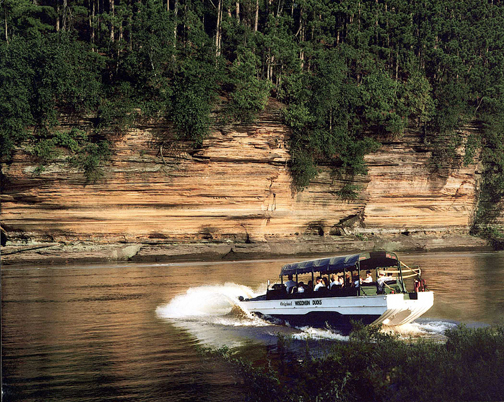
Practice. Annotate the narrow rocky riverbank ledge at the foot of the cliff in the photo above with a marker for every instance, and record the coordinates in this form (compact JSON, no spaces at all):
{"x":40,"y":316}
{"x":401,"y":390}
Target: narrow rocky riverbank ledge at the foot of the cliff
{"x":88,"y":252}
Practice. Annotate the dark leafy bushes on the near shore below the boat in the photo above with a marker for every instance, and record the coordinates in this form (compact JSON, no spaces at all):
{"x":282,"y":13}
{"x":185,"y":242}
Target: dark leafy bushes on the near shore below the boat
{"x":377,"y":366}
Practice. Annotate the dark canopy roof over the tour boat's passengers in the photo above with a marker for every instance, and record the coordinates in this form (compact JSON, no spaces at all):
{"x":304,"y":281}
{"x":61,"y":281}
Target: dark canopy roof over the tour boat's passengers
{"x":368,"y":261}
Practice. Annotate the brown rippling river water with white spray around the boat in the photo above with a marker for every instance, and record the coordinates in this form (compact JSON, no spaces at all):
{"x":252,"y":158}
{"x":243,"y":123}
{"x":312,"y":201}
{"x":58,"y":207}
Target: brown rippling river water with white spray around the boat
{"x":134,"y":331}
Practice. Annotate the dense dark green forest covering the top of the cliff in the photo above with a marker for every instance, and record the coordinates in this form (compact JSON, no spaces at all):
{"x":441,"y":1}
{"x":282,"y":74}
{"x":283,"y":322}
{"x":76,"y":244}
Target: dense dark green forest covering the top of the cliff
{"x":348,"y":71}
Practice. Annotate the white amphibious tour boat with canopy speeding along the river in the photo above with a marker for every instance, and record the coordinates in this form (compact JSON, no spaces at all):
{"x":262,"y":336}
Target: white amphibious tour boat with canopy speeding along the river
{"x":381,"y":298}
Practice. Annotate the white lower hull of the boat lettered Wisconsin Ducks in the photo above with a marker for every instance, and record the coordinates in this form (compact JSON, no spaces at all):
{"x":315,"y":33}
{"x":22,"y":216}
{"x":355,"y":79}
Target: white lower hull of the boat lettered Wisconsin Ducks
{"x":389,"y":309}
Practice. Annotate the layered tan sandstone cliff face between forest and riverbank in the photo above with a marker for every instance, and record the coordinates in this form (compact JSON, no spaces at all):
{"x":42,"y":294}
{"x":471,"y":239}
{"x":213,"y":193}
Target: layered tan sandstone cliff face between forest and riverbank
{"x":236,"y":189}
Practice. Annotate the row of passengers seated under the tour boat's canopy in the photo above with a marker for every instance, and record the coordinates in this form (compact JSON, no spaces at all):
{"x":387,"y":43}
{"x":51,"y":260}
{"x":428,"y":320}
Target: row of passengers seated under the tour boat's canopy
{"x":336,"y":281}
